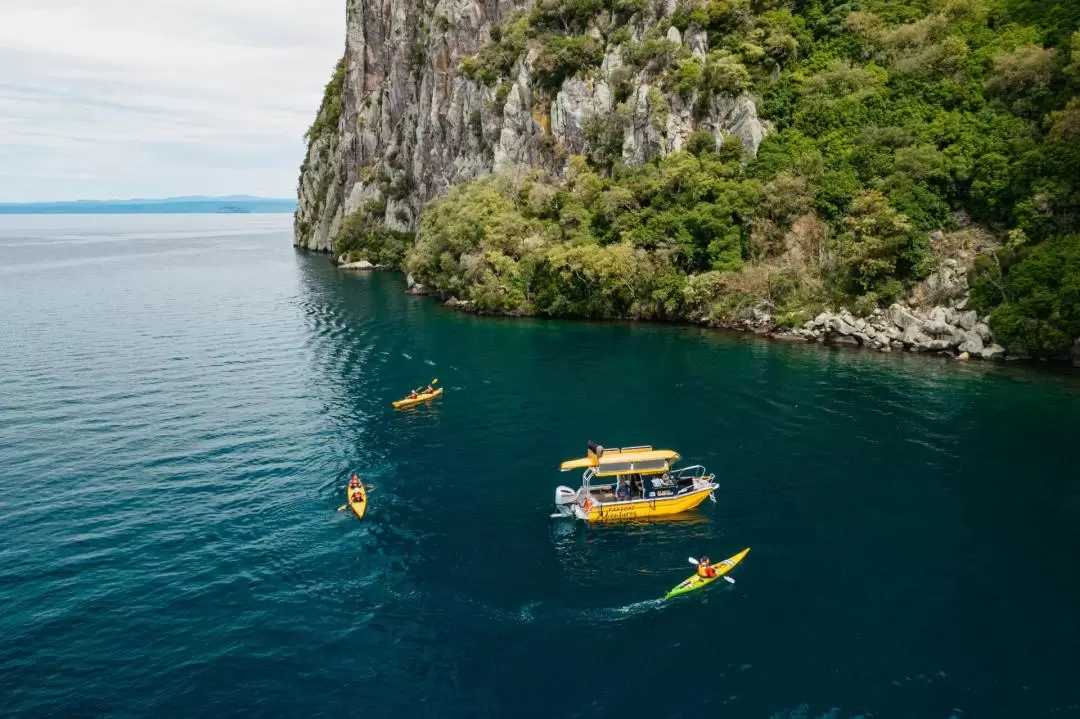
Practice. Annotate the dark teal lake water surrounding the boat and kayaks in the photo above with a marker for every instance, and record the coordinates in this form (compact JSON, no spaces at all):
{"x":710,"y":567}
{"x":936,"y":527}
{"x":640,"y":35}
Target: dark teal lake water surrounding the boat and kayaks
{"x":183,"y":399}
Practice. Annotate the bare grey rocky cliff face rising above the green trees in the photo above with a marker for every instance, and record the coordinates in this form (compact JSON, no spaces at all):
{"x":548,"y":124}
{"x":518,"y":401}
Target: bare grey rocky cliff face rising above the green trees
{"x":412,"y":125}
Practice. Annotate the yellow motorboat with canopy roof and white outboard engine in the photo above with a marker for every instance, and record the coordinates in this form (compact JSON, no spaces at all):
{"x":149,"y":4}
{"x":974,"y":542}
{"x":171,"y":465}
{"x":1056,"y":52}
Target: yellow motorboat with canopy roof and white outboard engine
{"x":638,"y":483}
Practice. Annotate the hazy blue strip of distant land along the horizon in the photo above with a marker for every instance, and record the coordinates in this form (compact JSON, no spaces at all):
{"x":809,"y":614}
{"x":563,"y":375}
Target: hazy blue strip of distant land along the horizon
{"x":235,"y":204}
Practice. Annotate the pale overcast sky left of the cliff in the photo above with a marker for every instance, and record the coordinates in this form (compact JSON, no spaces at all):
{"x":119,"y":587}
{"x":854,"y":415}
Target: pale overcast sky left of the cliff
{"x":124,"y":99}
